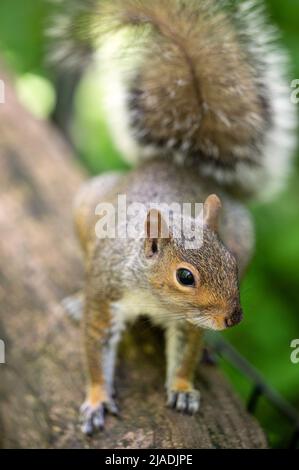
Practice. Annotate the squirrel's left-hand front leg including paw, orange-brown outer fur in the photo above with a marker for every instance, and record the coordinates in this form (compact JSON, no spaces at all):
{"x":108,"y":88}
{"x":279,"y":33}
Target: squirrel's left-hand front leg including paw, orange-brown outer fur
{"x":101,"y":337}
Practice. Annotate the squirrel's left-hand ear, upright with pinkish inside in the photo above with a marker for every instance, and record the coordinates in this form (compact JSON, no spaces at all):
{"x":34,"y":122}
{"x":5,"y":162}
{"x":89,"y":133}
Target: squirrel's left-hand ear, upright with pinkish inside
{"x":157,"y":232}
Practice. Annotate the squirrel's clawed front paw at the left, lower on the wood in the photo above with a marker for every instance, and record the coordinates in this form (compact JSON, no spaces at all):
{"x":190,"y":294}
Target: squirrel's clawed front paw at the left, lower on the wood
{"x":93,"y":416}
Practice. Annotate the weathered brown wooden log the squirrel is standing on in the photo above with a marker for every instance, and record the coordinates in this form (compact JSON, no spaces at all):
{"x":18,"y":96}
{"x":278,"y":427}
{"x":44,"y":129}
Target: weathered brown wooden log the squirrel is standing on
{"x":42,"y":384}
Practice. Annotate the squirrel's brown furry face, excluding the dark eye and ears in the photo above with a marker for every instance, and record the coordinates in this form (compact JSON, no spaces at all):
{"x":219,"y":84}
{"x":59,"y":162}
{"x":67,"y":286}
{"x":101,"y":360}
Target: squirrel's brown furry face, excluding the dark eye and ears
{"x":214,"y":301}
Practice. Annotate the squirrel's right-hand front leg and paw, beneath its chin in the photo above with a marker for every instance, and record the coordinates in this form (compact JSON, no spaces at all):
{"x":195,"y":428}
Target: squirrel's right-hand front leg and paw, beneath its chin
{"x":184,"y":347}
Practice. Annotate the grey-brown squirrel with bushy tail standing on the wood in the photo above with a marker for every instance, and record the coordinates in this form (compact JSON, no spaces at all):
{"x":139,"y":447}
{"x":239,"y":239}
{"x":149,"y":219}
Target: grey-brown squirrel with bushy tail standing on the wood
{"x":197,"y":98}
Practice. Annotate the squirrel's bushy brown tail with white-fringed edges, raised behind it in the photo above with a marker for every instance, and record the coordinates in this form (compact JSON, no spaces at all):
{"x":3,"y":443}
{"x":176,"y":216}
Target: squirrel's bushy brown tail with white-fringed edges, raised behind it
{"x":199,"y":81}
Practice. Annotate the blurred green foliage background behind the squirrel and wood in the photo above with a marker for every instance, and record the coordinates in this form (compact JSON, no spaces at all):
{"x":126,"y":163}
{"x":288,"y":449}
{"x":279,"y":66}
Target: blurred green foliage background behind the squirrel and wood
{"x":271,"y":290}
